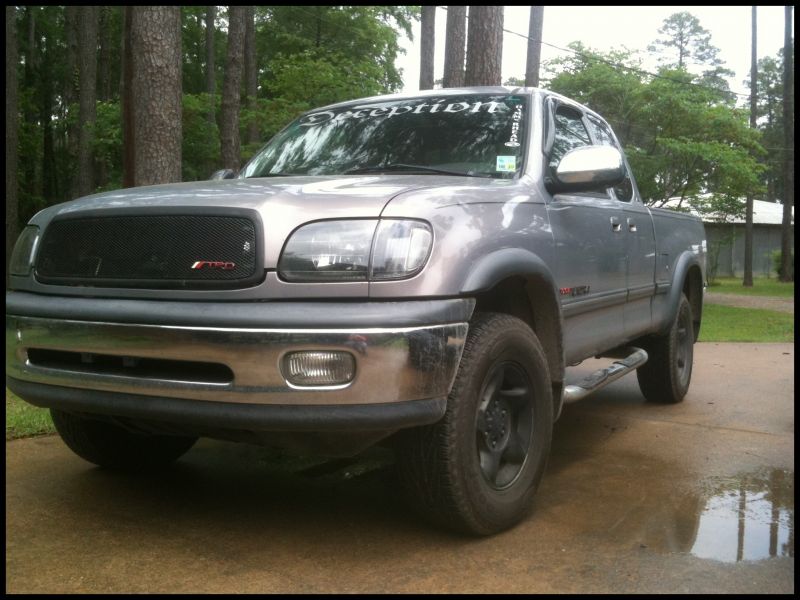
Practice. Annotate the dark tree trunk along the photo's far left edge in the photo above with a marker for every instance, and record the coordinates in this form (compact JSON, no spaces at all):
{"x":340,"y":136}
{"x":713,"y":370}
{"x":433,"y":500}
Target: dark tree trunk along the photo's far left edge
{"x":12,"y":134}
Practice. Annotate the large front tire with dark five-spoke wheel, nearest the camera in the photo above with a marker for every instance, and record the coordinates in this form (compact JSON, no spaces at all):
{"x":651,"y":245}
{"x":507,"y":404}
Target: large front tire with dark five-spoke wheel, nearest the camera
{"x":477,"y":469}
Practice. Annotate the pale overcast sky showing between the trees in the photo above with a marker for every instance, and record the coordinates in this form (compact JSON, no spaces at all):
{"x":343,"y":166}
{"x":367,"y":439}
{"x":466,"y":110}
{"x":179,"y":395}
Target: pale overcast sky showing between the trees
{"x":606,"y":27}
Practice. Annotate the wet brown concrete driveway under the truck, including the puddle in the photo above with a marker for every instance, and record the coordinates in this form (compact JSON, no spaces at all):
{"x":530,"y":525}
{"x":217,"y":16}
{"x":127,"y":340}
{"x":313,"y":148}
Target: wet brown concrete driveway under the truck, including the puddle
{"x":697,"y":497}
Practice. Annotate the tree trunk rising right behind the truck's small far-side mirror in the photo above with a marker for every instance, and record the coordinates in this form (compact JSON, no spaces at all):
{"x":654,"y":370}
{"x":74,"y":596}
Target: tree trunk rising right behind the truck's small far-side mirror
{"x":231,"y":89}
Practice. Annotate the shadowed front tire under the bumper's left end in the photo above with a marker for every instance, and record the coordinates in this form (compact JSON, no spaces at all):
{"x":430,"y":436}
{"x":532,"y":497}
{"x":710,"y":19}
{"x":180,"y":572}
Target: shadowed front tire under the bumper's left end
{"x":109,"y":445}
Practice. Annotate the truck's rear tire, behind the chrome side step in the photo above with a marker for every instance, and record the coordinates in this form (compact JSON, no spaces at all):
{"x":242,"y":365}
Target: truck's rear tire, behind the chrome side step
{"x":666,"y":375}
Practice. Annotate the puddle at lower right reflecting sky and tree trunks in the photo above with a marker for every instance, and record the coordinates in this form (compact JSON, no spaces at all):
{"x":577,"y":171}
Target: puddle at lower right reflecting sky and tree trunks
{"x":751,"y":518}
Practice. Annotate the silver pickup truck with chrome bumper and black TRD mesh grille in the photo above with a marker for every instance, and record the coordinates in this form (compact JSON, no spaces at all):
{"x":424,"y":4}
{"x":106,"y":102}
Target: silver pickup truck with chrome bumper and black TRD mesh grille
{"x":414,"y":270}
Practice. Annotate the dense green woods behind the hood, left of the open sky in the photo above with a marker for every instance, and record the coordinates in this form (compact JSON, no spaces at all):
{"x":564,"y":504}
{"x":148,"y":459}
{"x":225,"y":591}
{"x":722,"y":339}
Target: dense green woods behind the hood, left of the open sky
{"x":293,"y":58}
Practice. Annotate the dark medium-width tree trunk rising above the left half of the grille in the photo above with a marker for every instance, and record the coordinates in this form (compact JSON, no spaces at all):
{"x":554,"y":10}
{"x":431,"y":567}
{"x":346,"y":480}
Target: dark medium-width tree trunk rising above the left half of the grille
{"x":87,"y":51}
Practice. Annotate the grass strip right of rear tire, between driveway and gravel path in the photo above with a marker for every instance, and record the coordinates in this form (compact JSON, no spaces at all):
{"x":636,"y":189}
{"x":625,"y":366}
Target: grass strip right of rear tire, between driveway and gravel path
{"x":731,"y":324}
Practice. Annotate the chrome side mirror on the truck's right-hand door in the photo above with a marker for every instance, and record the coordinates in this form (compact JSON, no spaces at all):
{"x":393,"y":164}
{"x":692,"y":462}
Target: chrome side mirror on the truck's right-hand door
{"x":588,"y":168}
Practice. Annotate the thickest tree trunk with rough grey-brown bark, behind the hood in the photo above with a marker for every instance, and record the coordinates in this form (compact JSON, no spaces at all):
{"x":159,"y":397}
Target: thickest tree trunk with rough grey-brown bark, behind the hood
{"x":157,"y":94}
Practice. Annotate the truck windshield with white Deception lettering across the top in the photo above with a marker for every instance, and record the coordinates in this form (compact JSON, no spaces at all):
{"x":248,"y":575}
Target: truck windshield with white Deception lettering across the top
{"x":480,"y":135}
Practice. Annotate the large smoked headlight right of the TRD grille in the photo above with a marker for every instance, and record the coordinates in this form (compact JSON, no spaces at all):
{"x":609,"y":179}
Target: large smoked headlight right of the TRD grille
{"x":356,"y":250}
